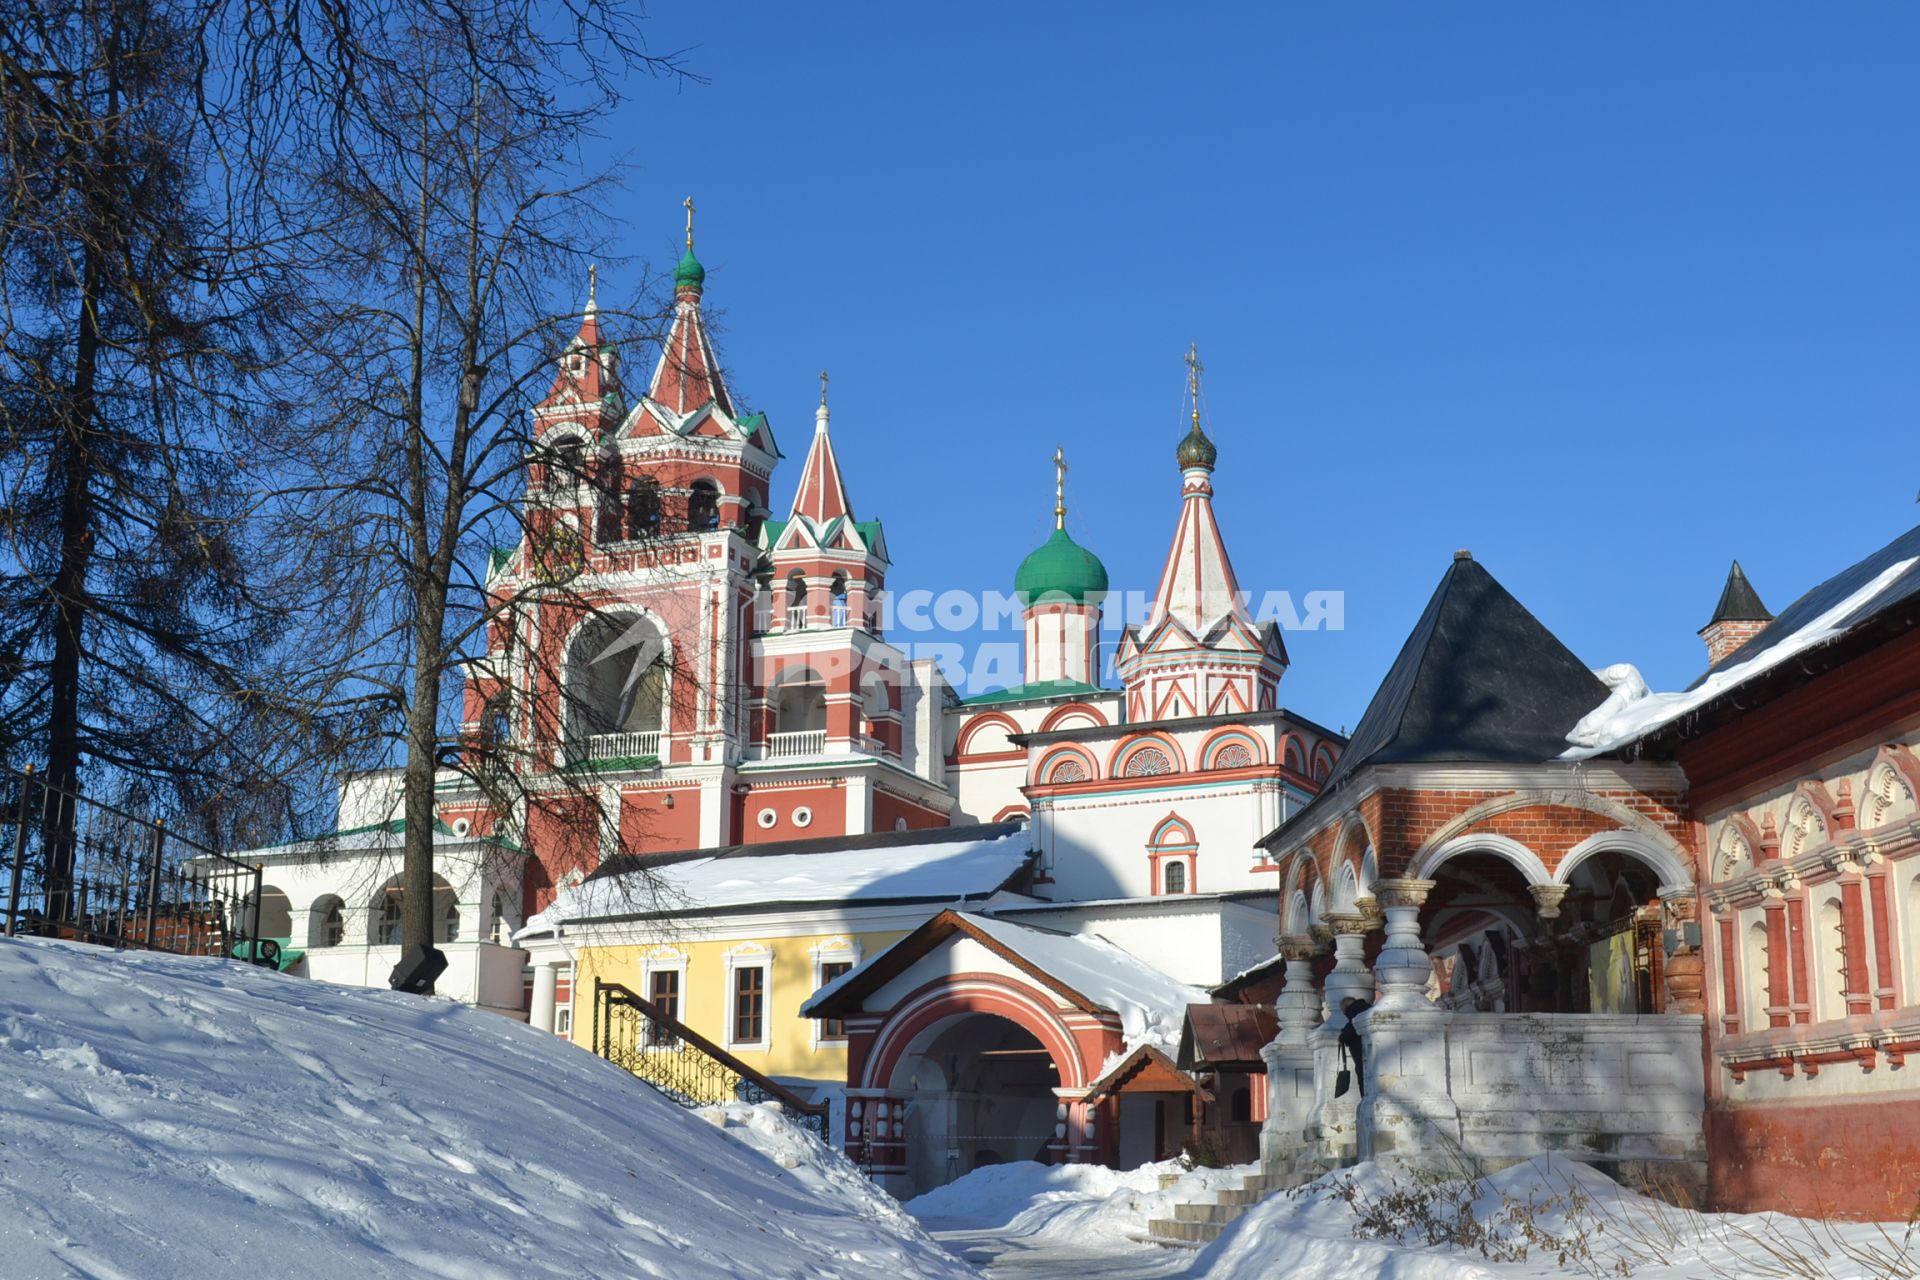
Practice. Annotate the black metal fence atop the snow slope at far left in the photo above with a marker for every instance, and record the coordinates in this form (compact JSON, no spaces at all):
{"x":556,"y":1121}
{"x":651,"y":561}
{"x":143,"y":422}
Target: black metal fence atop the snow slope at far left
{"x":76,"y":868}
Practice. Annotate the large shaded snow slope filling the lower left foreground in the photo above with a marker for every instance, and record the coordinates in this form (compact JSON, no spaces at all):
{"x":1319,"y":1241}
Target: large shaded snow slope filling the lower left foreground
{"x":168,"y":1116}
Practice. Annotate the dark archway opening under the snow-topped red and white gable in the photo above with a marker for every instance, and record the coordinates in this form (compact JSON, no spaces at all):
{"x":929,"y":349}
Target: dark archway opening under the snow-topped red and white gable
{"x":978,"y":1089}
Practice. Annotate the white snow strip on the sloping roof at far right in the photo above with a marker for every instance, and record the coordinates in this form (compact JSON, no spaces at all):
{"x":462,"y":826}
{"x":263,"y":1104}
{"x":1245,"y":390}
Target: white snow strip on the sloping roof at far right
{"x":1633,"y":711}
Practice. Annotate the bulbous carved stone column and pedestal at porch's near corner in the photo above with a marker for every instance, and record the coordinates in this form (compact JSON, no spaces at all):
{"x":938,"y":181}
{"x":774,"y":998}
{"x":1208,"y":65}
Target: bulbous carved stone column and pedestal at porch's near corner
{"x":1406,"y":1112}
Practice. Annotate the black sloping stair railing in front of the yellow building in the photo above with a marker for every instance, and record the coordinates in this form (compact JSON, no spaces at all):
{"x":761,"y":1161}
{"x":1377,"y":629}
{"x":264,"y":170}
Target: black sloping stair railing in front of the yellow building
{"x":681,"y":1062}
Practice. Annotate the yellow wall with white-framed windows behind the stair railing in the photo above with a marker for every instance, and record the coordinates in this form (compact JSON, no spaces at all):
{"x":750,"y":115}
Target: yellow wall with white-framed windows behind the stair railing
{"x":708,"y":997}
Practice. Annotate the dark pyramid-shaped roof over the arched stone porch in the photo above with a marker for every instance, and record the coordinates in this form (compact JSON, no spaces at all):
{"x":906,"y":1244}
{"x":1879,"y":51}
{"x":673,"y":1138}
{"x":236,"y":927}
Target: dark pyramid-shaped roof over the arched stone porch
{"x":1479,"y":680}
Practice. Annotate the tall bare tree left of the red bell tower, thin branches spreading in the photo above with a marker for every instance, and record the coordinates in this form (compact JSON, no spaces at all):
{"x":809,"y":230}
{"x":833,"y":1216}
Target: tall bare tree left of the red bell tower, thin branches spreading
{"x":439,"y":208}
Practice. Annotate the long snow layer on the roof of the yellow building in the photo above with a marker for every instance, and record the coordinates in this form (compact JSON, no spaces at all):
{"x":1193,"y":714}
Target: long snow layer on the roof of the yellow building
{"x":944,"y":872}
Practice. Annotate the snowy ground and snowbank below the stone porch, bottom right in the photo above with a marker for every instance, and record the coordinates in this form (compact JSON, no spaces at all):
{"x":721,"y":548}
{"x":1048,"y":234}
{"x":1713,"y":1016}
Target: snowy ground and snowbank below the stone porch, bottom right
{"x":1550,"y":1218}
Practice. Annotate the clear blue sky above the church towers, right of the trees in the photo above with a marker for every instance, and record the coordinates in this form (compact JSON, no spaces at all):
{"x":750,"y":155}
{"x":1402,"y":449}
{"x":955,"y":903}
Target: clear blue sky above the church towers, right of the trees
{"x":1610,"y":295}
